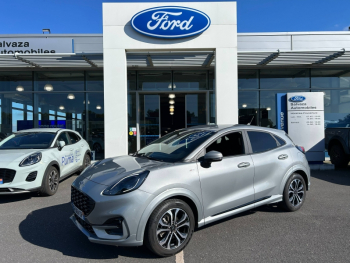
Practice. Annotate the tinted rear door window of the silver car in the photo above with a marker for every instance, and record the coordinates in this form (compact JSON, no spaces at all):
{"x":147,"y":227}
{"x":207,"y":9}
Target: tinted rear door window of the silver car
{"x":261,"y":141}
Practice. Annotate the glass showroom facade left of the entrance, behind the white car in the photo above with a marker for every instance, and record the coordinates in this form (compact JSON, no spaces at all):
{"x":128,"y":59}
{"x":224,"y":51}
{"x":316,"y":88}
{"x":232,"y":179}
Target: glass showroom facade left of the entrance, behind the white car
{"x":54,"y":99}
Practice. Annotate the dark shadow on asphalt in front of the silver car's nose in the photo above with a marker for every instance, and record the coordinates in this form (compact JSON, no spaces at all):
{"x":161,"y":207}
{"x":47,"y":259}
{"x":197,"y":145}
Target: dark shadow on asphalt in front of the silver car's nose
{"x":51,"y":228}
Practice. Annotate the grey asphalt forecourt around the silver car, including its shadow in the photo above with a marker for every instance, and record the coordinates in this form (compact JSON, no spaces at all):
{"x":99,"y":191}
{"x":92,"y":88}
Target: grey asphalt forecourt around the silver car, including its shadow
{"x":38,"y":229}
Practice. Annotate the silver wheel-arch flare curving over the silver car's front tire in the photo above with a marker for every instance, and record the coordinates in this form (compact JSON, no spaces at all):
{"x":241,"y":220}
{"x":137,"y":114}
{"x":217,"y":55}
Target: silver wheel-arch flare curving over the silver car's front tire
{"x":159,"y":199}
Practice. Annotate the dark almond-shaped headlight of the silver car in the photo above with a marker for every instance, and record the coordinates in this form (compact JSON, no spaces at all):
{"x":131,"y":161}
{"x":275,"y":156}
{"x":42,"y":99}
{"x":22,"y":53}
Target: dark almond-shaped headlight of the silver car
{"x":127,"y":184}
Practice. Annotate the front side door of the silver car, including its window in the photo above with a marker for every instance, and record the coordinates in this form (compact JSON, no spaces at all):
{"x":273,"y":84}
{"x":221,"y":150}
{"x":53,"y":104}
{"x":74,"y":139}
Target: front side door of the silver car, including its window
{"x":227,"y":184}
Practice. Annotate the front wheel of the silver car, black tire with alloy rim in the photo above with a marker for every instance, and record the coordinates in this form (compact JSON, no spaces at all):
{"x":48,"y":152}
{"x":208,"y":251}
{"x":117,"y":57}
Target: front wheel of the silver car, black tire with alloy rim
{"x":179,"y":235}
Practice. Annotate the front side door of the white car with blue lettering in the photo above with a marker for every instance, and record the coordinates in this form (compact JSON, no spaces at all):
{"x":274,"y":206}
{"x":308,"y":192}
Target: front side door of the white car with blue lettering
{"x":65,"y":155}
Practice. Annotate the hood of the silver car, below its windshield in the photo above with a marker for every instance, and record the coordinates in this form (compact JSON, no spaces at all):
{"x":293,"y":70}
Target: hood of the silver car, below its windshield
{"x":111,"y":170}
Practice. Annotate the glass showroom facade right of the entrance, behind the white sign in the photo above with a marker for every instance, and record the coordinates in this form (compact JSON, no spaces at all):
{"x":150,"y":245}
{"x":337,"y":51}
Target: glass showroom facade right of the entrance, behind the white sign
{"x":257,"y":91}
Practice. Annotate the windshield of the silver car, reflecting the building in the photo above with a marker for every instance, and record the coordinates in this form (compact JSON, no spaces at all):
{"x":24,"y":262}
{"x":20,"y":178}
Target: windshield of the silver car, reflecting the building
{"x":175,"y":146}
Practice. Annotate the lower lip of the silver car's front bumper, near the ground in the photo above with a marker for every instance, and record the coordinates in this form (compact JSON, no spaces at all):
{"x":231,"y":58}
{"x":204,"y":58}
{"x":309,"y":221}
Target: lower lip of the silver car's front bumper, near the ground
{"x":129,"y":241}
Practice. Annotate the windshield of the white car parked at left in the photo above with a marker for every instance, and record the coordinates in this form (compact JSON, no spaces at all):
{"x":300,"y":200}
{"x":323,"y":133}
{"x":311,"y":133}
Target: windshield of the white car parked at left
{"x":32,"y":140}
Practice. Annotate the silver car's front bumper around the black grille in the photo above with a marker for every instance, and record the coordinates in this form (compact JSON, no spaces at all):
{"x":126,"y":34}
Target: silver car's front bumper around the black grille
{"x":129,"y":207}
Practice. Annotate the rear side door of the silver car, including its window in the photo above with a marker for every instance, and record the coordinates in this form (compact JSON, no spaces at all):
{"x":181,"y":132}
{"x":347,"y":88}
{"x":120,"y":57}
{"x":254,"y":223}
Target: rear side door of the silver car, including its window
{"x":272,"y":159}
